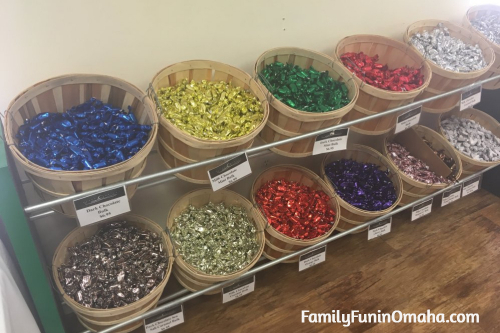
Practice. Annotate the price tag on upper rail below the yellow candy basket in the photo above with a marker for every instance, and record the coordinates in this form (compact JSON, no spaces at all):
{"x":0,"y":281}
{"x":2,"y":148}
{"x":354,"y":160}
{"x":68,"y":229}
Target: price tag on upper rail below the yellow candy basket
{"x":229,"y":172}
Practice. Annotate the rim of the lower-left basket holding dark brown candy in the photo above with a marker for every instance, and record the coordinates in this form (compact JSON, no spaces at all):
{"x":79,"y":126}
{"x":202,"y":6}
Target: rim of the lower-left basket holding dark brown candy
{"x":74,"y":304}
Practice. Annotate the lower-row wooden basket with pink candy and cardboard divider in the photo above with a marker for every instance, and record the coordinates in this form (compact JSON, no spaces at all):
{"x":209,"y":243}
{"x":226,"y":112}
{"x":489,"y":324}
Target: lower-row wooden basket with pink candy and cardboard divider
{"x":411,"y":186}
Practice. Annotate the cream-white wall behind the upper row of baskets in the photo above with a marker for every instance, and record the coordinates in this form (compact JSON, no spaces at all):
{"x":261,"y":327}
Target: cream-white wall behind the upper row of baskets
{"x":133,"y":39}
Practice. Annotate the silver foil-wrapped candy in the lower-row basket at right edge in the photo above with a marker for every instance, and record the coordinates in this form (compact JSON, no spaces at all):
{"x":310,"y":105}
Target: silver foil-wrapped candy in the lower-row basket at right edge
{"x":472,"y":139}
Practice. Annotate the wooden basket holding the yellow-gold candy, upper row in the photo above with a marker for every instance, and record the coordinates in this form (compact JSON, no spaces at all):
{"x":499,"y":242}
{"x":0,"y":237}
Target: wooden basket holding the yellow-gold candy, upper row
{"x":188,"y":148}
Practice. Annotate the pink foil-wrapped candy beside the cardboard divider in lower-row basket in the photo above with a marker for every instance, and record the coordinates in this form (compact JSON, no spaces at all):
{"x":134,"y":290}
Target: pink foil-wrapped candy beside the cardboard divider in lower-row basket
{"x":413,"y":167}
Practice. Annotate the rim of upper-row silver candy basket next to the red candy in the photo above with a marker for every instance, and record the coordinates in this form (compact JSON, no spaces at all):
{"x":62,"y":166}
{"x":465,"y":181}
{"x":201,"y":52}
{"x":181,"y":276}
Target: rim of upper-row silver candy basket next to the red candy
{"x":441,"y":71}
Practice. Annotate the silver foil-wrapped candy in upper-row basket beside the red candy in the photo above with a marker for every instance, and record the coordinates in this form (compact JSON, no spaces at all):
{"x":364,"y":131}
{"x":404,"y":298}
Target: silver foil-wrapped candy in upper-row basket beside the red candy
{"x":448,"y":52}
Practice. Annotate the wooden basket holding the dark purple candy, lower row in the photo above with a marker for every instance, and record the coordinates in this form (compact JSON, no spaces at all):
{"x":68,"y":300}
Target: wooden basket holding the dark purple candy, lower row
{"x":363,"y":154}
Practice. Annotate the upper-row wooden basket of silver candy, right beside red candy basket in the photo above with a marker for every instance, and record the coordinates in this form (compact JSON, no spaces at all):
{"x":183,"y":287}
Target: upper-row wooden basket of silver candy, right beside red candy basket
{"x":445,"y":80}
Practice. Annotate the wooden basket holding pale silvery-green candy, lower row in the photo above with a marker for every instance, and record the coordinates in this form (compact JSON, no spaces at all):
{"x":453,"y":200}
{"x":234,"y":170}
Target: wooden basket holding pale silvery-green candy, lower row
{"x":189,"y":276}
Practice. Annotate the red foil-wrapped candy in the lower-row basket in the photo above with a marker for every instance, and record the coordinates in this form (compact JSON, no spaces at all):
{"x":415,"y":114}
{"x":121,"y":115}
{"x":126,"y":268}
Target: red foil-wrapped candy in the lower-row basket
{"x":295,"y":210}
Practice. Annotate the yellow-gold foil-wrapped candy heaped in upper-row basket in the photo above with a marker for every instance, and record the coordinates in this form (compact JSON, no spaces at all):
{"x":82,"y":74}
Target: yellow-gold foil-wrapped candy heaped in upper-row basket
{"x":211,"y":110}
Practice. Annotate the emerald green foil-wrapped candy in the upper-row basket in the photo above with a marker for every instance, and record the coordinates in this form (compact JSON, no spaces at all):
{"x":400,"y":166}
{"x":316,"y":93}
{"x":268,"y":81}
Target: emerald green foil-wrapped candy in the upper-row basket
{"x":304,"y":89}
